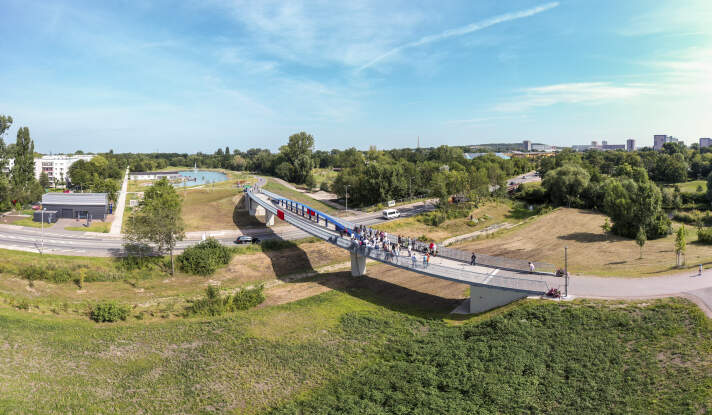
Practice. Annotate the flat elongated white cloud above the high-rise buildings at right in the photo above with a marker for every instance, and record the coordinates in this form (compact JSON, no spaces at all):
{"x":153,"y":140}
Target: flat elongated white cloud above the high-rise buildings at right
{"x":573,"y":93}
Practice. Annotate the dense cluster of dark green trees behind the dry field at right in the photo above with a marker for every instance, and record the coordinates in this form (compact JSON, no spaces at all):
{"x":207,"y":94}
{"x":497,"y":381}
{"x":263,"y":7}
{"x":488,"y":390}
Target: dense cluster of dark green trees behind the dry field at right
{"x":622,"y":184}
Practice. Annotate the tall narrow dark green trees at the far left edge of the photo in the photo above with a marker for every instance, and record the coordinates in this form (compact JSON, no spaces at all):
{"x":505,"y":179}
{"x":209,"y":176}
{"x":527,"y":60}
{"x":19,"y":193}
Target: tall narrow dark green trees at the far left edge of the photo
{"x":18,"y":184}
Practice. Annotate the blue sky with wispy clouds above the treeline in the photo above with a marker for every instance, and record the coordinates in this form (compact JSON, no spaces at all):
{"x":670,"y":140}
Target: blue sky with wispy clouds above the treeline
{"x":197,"y":75}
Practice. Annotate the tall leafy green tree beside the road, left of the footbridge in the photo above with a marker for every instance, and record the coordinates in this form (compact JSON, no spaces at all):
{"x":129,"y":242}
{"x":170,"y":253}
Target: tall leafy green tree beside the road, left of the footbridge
{"x":158,"y":220}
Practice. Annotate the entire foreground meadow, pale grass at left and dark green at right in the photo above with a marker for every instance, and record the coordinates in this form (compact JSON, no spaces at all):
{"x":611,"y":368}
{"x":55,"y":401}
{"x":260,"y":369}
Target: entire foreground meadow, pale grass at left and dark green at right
{"x":344,"y":353}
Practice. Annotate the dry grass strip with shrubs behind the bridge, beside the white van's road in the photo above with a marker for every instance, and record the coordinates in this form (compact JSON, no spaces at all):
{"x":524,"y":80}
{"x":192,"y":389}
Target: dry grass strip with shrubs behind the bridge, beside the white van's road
{"x":491,"y":213}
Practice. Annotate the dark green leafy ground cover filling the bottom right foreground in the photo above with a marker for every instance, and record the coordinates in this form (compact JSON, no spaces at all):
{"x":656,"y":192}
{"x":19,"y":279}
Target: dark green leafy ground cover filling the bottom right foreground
{"x":537,"y":358}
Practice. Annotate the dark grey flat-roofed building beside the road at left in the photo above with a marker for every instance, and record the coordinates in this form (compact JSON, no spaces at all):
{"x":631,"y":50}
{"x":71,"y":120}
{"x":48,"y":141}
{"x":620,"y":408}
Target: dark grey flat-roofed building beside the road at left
{"x":94,"y":206}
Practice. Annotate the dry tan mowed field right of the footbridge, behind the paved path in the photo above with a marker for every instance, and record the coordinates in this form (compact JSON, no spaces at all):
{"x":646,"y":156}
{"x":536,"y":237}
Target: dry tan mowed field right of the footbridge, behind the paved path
{"x":591,"y":252}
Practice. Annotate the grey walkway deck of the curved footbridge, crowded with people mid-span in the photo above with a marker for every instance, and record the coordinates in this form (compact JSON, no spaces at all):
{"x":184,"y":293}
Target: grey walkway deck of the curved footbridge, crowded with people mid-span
{"x":439,"y":267}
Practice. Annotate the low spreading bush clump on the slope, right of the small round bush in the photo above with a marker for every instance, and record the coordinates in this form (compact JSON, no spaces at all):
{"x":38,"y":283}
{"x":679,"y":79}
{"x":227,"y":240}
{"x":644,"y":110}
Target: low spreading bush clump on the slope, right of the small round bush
{"x":214,"y":305}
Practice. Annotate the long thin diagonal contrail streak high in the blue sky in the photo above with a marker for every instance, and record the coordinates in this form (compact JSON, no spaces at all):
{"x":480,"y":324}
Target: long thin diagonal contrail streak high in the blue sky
{"x":461,"y":31}
